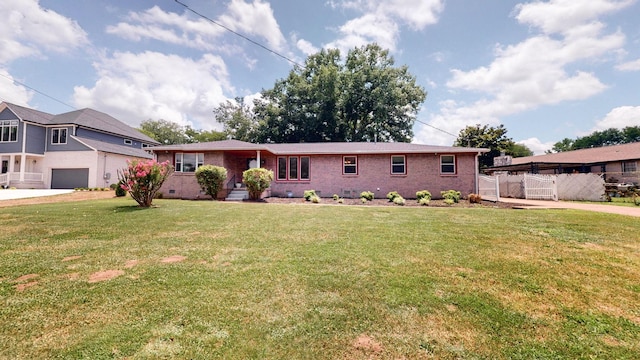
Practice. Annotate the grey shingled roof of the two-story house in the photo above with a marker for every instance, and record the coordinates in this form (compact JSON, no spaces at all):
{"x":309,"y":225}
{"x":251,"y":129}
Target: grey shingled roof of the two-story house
{"x":87,"y":118}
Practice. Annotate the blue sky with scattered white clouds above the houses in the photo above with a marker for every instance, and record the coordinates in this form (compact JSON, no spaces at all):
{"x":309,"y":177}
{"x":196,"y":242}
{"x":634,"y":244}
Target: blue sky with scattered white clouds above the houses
{"x":546,"y":70}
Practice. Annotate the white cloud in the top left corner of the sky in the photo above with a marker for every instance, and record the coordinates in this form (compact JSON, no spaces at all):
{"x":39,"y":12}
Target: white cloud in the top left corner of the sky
{"x":29,"y":30}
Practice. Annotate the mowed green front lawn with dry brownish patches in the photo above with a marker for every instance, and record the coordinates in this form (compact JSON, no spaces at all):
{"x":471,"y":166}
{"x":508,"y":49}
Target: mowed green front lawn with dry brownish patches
{"x":303,"y":281}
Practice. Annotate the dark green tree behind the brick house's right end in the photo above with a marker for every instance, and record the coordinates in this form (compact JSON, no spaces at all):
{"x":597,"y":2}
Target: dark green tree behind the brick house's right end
{"x":493,"y":138}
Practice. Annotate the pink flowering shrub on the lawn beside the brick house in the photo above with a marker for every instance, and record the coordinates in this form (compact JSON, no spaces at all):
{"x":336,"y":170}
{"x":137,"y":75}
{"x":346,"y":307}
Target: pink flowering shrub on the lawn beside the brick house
{"x":143,"y":178}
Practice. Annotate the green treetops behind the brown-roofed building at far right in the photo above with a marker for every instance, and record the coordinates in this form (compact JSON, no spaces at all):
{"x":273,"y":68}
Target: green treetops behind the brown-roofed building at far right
{"x":606,"y":137}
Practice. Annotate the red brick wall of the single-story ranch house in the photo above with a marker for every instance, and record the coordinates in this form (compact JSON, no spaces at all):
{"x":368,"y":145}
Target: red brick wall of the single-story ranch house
{"x":374,"y":174}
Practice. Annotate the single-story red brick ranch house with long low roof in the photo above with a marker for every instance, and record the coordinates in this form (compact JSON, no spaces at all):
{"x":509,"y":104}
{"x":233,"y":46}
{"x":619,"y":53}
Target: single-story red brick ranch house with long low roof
{"x":343,"y":168}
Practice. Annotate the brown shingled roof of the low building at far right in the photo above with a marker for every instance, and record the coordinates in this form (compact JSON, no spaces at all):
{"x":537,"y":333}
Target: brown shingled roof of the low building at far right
{"x":597,"y":155}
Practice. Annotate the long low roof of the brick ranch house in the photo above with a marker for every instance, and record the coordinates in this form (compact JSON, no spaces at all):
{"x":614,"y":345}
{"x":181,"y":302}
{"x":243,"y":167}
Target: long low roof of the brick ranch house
{"x":325,"y":148}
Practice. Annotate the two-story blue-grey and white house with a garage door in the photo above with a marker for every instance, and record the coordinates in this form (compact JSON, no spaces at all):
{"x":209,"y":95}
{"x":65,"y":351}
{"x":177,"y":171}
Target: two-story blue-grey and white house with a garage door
{"x":77,"y":149}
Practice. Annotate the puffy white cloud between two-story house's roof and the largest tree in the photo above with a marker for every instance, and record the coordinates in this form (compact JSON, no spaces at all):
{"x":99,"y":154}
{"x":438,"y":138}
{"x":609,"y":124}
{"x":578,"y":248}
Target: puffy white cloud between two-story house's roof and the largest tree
{"x":151,"y":85}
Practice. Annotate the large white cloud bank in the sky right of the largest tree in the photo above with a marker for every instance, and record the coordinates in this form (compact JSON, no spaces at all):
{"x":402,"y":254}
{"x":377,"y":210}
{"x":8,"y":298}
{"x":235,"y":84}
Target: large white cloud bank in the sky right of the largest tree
{"x":534,"y":72}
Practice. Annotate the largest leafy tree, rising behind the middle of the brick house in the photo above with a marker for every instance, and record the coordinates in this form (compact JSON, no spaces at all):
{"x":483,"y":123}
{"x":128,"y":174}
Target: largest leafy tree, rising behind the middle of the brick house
{"x":366,"y":98}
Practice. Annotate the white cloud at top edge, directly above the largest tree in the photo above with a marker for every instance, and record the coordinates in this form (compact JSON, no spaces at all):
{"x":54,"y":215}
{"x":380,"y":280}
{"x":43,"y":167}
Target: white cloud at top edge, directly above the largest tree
{"x":381,"y":20}
